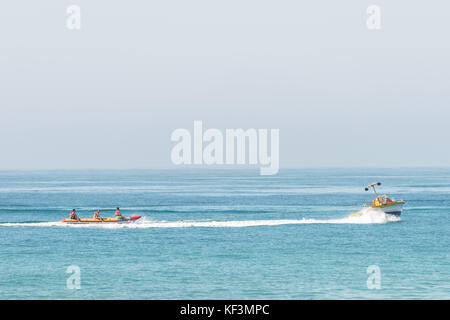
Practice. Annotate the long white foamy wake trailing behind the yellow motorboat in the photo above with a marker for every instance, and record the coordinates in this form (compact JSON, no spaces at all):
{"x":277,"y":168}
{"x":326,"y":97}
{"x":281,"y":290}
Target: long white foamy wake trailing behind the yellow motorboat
{"x":367,"y":216}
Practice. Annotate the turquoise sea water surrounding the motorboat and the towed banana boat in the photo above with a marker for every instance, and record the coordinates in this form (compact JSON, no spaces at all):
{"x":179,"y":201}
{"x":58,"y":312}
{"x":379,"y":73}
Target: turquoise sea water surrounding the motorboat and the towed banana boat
{"x":224,"y":234}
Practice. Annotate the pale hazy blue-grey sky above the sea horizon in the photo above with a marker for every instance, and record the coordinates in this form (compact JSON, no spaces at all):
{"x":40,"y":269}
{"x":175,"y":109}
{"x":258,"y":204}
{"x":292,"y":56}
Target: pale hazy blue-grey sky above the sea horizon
{"x":109,"y":95}
